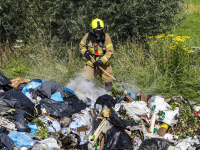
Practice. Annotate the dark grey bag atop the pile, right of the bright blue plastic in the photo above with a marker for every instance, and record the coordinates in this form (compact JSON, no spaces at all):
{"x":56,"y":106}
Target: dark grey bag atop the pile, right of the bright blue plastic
{"x":46,"y":89}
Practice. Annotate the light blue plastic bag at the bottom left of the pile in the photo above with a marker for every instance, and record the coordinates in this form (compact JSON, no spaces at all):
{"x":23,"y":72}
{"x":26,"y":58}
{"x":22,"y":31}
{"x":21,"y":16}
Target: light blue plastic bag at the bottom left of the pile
{"x":21,"y":139}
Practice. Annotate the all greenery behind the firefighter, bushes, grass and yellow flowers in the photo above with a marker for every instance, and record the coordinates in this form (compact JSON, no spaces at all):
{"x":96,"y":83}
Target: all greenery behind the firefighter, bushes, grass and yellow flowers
{"x":51,"y":31}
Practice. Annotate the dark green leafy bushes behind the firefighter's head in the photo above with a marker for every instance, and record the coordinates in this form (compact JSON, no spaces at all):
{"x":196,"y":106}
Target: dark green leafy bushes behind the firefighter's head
{"x":70,"y":20}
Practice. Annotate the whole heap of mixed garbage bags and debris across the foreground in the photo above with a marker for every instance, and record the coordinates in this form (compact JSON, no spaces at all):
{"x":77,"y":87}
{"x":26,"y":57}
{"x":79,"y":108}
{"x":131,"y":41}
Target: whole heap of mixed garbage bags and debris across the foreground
{"x":37,"y":114}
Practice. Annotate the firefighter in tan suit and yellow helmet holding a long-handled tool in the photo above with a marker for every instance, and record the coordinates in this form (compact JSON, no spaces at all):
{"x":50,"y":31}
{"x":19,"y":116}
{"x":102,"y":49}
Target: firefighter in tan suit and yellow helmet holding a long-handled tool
{"x":97,"y":44}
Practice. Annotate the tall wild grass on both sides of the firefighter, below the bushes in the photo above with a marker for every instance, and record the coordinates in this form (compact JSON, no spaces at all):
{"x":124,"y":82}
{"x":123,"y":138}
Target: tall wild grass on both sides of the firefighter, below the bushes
{"x":137,"y":69}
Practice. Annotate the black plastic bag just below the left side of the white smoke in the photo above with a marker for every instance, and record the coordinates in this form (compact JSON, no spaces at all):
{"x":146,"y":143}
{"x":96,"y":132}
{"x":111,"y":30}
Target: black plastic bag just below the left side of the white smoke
{"x":77,"y":105}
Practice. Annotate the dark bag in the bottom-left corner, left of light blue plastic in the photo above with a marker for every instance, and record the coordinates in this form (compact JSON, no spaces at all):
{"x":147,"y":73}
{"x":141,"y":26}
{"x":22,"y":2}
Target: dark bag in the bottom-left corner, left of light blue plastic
{"x":6,"y":142}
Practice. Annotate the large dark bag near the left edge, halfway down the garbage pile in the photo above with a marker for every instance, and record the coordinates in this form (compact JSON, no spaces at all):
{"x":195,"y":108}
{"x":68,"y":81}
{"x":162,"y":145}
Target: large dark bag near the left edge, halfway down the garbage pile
{"x":20,"y":98}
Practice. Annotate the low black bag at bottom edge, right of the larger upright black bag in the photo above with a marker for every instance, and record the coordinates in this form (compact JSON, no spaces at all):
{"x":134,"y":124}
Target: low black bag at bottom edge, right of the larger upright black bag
{"x":155,"y":144}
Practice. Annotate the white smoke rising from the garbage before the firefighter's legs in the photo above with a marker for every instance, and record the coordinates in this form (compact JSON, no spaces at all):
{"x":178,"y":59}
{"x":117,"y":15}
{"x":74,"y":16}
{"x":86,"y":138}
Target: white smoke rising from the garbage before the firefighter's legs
{"x":87,"y":88}
